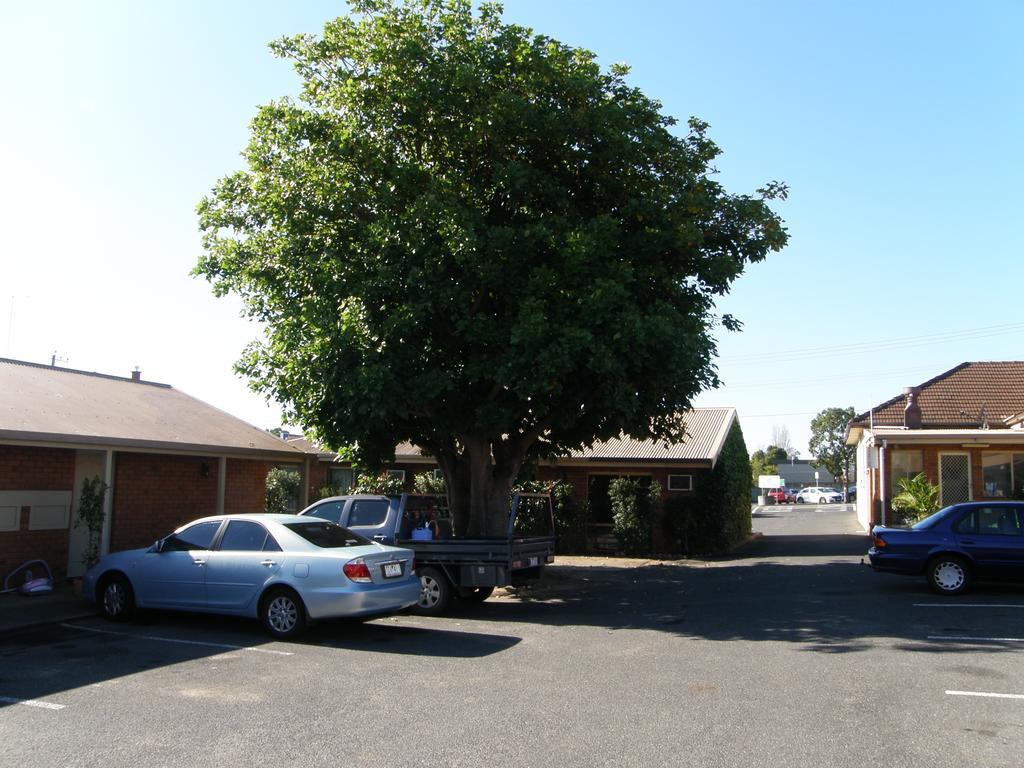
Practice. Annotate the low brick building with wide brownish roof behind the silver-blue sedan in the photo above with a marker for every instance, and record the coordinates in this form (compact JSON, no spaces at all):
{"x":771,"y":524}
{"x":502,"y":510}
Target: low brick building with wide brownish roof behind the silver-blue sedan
{"x":165,"y":457}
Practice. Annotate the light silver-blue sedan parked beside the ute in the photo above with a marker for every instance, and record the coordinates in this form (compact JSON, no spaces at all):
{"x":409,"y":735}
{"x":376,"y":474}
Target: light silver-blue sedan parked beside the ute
{"x":283,"y":570}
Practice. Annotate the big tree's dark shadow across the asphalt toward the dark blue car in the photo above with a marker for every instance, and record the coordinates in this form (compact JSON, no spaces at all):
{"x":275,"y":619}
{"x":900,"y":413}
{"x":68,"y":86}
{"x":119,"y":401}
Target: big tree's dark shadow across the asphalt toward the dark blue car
{"x":813,"y":592}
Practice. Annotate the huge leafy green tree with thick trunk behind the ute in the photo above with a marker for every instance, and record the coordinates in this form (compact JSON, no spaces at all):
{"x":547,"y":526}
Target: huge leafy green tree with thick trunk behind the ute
{"x":468,"y":236}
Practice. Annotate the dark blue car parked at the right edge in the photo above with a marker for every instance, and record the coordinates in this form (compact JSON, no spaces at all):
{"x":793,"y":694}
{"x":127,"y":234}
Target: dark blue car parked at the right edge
{"x":955,"y":546}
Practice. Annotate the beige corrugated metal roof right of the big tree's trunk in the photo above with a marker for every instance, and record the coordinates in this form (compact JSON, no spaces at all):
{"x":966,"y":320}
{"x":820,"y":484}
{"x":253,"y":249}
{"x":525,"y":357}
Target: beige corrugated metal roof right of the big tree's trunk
{"x":707,"y":430}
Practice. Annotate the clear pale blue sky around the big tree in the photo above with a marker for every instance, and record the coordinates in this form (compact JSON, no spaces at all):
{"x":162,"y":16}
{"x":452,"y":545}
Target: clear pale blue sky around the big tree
{"x":898,"y":126}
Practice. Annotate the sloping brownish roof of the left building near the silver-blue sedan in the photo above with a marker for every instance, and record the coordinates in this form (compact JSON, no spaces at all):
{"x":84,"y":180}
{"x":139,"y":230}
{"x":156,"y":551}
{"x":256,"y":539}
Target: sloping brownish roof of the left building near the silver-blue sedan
{"x":44,"y":403}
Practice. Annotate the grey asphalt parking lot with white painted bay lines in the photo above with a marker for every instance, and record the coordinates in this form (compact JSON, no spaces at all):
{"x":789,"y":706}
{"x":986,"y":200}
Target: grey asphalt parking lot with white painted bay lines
{"x":791,"y":653}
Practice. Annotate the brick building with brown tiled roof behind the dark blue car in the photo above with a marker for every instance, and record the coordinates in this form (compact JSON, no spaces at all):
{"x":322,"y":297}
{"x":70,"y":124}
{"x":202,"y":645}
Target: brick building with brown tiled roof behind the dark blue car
{"x":964,"y":430}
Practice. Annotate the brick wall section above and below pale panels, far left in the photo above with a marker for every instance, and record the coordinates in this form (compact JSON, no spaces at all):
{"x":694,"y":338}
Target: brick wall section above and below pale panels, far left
{"x":35,"y":470}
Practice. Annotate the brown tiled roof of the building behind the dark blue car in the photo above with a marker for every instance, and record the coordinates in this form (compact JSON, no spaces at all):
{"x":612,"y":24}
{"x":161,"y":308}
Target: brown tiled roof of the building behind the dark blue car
{"x":969,"y":396}
